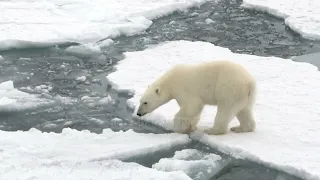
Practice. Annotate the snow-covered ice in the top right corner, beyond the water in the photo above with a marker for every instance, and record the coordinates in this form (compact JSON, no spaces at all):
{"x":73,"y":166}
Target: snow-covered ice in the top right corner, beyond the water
{"x":301,"y":16}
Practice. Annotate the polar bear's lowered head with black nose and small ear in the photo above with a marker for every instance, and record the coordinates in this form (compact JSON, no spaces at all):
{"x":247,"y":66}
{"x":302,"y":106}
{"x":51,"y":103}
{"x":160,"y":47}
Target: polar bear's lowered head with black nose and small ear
{"x":153,"y":97}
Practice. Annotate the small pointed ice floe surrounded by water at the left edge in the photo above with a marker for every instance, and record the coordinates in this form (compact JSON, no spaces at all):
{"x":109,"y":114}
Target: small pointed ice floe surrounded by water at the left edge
{"x":12,"y":99}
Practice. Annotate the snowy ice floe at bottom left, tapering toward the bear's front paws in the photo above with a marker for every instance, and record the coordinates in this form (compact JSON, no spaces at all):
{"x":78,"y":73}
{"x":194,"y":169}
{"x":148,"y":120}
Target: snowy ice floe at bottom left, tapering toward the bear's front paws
{"x":79,"y":155}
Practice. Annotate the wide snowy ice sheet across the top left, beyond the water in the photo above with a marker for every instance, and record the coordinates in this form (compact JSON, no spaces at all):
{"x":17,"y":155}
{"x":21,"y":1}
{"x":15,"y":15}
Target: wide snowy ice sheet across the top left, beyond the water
{"x":50,"y":22}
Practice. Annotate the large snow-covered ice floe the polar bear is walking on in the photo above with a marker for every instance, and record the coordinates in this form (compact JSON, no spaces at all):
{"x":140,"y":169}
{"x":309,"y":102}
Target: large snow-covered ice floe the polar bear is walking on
{"x":287,"y":108}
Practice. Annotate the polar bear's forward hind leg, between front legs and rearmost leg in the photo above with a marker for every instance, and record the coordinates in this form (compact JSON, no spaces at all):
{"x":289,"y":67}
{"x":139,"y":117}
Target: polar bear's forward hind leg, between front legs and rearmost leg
{"x":223,"y":117}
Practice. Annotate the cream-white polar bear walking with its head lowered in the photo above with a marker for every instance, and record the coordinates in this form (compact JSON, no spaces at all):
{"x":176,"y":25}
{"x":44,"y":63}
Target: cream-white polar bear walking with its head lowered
{"x":221,"y":83}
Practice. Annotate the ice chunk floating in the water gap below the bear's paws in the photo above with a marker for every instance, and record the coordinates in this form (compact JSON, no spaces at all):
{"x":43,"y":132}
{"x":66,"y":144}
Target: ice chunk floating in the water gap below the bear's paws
{"x":195,"y":164}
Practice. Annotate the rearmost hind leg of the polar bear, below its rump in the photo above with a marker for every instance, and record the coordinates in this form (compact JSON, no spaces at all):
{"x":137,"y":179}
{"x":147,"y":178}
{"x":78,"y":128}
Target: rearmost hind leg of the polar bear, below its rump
{"x":247,"y":123}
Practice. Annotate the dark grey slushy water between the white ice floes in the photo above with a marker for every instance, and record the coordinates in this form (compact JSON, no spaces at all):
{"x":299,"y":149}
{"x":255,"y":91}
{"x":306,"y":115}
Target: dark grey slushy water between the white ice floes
{"x":223,"y":24}
